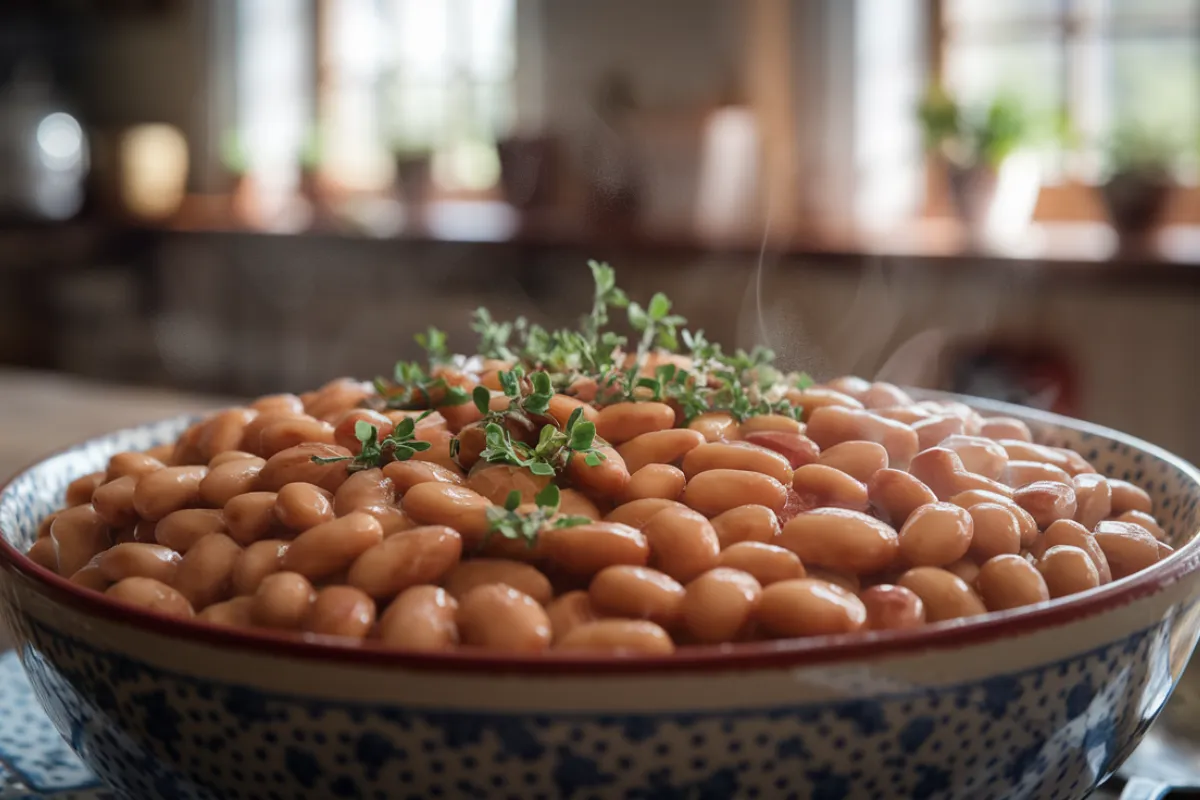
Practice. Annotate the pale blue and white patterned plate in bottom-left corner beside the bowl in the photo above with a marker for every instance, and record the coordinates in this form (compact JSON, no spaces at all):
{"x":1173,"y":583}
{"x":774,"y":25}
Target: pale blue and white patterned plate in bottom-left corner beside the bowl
{"x":35,"y":762}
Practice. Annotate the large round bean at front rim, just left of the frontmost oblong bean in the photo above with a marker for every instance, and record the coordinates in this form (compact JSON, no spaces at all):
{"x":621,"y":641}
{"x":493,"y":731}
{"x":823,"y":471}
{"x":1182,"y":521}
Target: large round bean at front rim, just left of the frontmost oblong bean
{"x":497,"y":617}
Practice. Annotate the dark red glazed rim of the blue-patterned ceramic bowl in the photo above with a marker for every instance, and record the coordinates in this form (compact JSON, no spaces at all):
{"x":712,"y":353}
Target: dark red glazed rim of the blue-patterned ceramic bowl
{"x":741,"y":657}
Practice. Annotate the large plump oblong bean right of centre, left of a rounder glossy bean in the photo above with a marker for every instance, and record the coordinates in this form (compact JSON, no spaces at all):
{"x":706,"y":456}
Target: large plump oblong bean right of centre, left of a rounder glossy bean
{"x":842,"y":540}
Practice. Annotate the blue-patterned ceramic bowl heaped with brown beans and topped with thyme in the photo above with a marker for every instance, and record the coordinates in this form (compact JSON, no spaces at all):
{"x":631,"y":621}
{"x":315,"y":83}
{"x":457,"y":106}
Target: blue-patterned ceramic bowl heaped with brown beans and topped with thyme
{"x":583,"y":564}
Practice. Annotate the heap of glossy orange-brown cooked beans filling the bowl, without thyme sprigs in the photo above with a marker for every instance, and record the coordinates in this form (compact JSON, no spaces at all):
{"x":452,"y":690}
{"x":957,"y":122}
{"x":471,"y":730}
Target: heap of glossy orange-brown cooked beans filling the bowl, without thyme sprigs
{"x":878,"y":513}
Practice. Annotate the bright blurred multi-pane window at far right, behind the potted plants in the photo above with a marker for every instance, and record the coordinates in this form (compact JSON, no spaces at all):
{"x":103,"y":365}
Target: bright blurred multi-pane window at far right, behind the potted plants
{"x":1107,"y":65}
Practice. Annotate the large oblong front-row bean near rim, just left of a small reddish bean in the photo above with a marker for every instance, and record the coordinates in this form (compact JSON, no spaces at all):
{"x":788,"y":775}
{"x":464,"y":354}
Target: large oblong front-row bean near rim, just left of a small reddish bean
{"x":809,"y":607}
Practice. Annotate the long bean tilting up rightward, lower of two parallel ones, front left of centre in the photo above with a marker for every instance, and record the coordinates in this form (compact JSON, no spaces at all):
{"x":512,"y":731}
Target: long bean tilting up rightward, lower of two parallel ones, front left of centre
{"x":411,"y":558}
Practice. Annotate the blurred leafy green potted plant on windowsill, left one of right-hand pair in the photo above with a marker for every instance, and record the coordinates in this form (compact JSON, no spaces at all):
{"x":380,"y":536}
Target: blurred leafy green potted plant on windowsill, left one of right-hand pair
{"x":975,"y":149}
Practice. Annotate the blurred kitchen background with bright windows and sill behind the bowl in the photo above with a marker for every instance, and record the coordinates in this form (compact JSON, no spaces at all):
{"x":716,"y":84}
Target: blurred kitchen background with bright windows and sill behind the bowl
{"x":237,"y":197}
